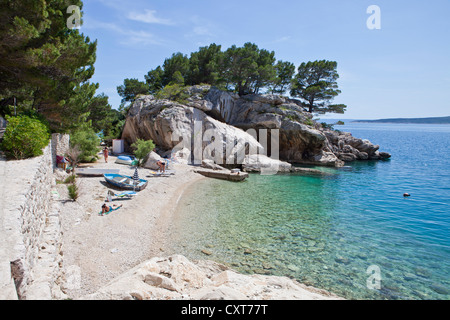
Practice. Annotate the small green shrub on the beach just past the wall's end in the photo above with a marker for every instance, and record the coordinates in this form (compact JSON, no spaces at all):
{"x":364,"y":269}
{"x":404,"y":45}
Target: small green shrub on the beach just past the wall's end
{"x":87,"y":141}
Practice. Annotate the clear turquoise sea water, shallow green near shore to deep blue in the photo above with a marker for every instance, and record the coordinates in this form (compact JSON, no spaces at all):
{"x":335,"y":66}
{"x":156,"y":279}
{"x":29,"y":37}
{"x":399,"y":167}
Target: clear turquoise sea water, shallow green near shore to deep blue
{"x":326,"y":231}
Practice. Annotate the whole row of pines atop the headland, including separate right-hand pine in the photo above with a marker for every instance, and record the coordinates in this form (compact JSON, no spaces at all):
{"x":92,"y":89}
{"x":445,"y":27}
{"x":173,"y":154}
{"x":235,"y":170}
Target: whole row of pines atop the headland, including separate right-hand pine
{"x":244,"y":70}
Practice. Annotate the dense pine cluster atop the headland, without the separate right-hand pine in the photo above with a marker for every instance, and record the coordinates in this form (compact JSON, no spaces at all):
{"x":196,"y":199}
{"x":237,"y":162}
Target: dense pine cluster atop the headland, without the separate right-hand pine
{"x":245,"y":70}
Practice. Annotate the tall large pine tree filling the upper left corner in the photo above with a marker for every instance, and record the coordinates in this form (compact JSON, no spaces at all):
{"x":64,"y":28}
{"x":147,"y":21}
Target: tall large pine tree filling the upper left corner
{"x":42,"y":61}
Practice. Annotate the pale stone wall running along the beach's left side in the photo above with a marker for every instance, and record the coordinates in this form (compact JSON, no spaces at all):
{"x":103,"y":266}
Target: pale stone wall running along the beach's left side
{"x":30,"y":227}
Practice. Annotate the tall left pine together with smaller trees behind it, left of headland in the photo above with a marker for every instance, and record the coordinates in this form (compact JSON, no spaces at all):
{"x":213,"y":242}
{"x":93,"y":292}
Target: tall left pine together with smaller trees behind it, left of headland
{"x":45,"y":69}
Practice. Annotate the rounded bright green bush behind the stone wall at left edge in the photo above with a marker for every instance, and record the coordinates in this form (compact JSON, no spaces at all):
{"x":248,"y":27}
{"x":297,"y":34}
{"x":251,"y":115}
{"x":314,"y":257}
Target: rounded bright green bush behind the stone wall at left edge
{"x":25,"y":137}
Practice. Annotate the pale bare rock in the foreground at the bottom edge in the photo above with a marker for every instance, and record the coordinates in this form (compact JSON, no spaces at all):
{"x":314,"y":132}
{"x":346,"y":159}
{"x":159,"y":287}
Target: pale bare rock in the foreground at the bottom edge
{"x":176,"y":277}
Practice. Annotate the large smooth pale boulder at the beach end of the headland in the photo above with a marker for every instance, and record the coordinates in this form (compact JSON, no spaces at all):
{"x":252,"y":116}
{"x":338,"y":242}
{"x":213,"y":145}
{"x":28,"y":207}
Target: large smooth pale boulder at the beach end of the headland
{"x":176,"y":127}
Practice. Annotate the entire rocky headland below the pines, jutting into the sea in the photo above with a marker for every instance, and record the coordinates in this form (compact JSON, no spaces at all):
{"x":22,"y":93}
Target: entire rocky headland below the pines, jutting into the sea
{"x":251,"y":120}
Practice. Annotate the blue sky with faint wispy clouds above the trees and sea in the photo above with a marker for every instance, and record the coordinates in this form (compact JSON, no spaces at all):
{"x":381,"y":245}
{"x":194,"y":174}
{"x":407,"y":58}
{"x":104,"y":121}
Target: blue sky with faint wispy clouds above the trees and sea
{"x":399,"y":70}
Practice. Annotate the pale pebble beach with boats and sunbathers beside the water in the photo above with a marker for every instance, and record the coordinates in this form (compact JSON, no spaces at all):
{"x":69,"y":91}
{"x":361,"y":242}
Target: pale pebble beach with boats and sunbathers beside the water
{"x":101,"y":248}
